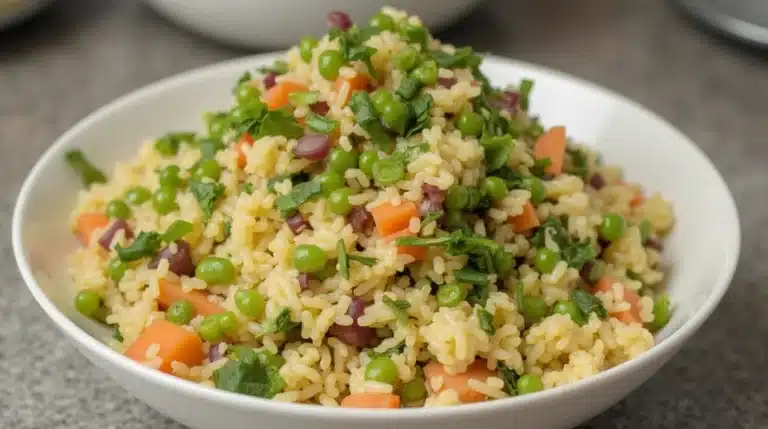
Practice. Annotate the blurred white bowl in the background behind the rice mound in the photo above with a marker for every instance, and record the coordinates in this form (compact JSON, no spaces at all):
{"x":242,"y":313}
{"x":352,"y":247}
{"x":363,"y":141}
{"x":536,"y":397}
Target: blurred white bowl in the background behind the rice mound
{"x":279,"y":24}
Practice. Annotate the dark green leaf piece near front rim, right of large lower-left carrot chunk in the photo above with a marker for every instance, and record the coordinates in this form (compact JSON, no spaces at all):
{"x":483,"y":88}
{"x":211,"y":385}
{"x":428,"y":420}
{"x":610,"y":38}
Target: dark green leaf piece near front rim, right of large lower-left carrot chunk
{"x":250,"y":374}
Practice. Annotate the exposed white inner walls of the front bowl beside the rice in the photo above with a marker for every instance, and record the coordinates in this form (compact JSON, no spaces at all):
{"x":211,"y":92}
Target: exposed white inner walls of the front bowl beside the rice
{"x":701,"y":253}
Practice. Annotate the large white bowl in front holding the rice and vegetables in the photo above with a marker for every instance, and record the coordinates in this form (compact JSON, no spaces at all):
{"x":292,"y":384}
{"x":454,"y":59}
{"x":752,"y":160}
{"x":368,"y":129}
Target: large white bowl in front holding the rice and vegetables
{"x":701,"y":252}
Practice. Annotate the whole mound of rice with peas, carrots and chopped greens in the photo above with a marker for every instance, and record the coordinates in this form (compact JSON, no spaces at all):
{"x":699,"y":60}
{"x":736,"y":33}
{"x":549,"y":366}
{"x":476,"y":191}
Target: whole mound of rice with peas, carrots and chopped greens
{"x":372,"y":224}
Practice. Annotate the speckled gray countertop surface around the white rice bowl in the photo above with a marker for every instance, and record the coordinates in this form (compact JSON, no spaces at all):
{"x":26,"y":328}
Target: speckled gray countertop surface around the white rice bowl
{"x":81,"y":54}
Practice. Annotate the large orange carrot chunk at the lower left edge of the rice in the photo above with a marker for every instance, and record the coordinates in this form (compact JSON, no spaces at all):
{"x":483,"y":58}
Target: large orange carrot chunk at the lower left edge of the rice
{"x":176,"y":344}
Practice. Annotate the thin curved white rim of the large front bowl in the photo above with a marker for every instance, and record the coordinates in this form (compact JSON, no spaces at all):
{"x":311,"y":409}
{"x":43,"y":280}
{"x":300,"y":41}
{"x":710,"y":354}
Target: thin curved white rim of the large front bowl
{"x":198,"y":391}
